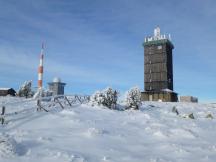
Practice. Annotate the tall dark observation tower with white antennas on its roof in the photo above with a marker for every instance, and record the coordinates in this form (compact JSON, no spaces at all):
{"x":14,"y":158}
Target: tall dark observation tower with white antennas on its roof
{"x":158,"y":68}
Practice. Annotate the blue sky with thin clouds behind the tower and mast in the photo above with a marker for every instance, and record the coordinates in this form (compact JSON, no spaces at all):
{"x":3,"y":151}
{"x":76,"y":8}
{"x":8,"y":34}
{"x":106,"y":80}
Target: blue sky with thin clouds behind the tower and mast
{"x":92,"y":44}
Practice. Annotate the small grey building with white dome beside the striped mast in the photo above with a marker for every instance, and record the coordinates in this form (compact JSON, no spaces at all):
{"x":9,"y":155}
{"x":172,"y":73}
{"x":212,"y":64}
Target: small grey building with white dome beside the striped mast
{"x":56,"y":87}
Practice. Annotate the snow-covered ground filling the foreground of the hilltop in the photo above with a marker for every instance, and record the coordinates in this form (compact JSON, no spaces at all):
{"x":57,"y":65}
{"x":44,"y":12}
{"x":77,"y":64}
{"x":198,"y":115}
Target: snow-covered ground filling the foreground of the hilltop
{"x":93,"y":134}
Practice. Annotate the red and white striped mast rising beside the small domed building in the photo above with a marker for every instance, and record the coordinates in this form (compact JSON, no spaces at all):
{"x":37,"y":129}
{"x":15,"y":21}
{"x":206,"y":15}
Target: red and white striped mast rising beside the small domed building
{"x":40,"y":69}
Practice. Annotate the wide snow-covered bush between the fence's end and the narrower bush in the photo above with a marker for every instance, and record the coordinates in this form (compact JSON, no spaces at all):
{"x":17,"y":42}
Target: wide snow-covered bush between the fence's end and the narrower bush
{"x":107,"y":97}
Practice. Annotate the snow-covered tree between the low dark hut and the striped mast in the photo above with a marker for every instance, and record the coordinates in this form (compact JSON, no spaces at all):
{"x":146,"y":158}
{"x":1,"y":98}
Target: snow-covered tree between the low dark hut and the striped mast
{"x":25,"y":90}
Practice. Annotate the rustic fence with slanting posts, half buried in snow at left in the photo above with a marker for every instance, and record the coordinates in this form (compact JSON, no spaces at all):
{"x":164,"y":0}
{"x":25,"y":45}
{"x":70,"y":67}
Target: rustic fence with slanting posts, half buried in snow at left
{"x":46,"y":104}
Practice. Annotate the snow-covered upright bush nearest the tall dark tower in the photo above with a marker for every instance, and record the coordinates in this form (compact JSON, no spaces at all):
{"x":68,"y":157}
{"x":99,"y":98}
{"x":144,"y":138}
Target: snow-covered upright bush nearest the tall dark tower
{"x":133,"y":98}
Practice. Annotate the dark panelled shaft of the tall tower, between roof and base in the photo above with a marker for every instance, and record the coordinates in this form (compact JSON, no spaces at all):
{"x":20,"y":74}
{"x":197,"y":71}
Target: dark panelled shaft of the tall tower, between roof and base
{"x":158,"y":67}
